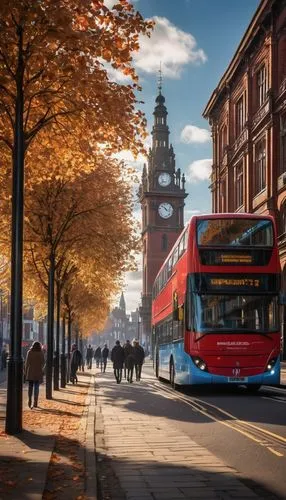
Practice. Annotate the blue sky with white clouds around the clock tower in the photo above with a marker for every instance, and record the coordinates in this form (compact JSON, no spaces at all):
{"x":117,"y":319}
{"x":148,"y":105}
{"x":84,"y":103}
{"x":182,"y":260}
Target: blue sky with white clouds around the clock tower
{"x":194,"y":40}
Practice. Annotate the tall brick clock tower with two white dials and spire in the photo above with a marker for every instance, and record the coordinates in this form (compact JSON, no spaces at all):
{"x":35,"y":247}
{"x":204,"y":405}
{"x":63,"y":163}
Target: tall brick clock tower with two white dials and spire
{"x":162,"y":194}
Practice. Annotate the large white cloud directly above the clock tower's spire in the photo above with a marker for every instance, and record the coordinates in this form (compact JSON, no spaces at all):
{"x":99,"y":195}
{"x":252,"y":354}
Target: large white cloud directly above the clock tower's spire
{"x":170,"y":45}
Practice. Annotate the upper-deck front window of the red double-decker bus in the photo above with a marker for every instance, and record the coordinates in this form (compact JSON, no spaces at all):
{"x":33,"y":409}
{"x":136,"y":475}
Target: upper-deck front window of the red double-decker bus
{"x":235,"y":232}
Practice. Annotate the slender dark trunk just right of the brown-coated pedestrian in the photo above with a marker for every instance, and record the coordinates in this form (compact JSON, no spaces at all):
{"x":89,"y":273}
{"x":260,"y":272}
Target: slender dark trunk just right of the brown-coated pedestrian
{"x":50,"y":329}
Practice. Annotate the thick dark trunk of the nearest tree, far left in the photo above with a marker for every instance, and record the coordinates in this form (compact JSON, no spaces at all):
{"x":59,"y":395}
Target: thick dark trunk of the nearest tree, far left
{"x":15,"y":362}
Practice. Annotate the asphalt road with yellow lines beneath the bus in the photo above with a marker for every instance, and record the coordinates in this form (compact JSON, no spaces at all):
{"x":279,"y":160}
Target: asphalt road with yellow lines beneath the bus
{"x":246,"y":431}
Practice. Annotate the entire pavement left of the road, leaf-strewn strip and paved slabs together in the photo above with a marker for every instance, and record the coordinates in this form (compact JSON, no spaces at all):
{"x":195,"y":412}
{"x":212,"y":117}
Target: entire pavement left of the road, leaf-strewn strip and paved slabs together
{"x":140,"y":456}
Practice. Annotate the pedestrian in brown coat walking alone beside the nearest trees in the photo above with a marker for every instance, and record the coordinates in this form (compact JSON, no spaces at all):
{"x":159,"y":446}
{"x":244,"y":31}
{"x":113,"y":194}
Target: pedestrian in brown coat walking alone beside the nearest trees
{"x":34,"y":372}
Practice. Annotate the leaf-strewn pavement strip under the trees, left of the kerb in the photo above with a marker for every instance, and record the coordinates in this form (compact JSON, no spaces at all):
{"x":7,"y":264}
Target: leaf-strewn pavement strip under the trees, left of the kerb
{"x":53,"y":458}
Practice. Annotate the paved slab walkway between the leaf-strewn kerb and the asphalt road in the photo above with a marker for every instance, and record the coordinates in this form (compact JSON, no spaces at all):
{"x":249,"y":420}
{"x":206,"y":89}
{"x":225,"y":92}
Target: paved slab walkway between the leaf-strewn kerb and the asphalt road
{"x":142,"y":455}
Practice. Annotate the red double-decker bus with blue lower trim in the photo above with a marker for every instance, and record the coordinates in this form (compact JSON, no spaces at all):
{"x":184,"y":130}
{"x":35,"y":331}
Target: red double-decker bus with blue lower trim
{"x":215,"y":317}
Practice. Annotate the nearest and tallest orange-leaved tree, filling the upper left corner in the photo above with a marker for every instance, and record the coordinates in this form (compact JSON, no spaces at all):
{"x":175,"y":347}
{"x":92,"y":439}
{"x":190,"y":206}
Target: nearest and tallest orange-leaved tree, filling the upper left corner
{"x":51,"y":76}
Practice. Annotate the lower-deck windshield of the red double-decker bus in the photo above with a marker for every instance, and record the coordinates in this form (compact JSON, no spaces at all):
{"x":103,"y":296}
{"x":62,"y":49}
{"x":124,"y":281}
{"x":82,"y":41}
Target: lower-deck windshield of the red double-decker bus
{"x":242,"y":313}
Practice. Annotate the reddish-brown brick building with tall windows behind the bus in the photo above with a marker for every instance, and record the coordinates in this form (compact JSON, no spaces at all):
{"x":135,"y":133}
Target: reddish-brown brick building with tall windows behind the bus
{"x":247,"y":114}
